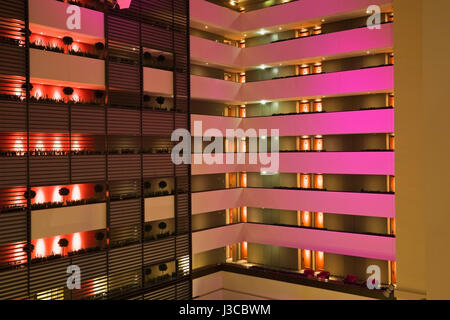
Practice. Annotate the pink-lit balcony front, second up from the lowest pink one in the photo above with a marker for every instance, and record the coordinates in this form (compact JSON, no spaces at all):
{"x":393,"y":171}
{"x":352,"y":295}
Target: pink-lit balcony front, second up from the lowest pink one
{"x":352,"y":203}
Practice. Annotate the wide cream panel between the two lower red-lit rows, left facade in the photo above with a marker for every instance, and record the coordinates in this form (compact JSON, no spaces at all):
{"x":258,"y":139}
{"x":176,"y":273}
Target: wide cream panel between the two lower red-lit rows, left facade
{"x":66,"y":220}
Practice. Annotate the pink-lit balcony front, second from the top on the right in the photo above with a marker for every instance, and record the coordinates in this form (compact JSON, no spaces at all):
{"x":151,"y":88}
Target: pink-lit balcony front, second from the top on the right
{"x":295,"y":51}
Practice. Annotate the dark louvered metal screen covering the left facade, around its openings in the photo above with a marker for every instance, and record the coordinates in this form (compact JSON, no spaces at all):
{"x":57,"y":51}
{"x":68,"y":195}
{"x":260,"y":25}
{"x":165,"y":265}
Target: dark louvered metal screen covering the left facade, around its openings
{"x":117,"y":144}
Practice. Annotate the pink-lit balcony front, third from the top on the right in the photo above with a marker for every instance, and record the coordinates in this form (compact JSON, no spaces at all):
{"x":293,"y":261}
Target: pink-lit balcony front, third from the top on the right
{"x":380,"y":79}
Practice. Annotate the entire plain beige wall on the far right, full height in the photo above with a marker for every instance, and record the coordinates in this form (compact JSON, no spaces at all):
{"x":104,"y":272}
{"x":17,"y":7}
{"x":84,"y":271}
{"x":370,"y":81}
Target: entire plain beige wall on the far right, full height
{"x":422,"y":156}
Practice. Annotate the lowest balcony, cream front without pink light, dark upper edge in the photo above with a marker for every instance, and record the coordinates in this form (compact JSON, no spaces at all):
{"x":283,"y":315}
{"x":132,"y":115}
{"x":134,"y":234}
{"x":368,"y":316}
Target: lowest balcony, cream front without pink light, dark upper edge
{"x":223,"y":281}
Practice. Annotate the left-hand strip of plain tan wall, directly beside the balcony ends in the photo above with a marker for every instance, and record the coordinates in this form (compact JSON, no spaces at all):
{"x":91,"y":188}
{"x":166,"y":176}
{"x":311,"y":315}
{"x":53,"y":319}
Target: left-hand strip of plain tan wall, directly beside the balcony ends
{"x":410,"y":157}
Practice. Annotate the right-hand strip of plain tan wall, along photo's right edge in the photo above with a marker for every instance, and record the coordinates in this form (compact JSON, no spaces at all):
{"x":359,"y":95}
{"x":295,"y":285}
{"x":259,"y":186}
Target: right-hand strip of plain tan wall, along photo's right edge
{"x":436,"y":79}
